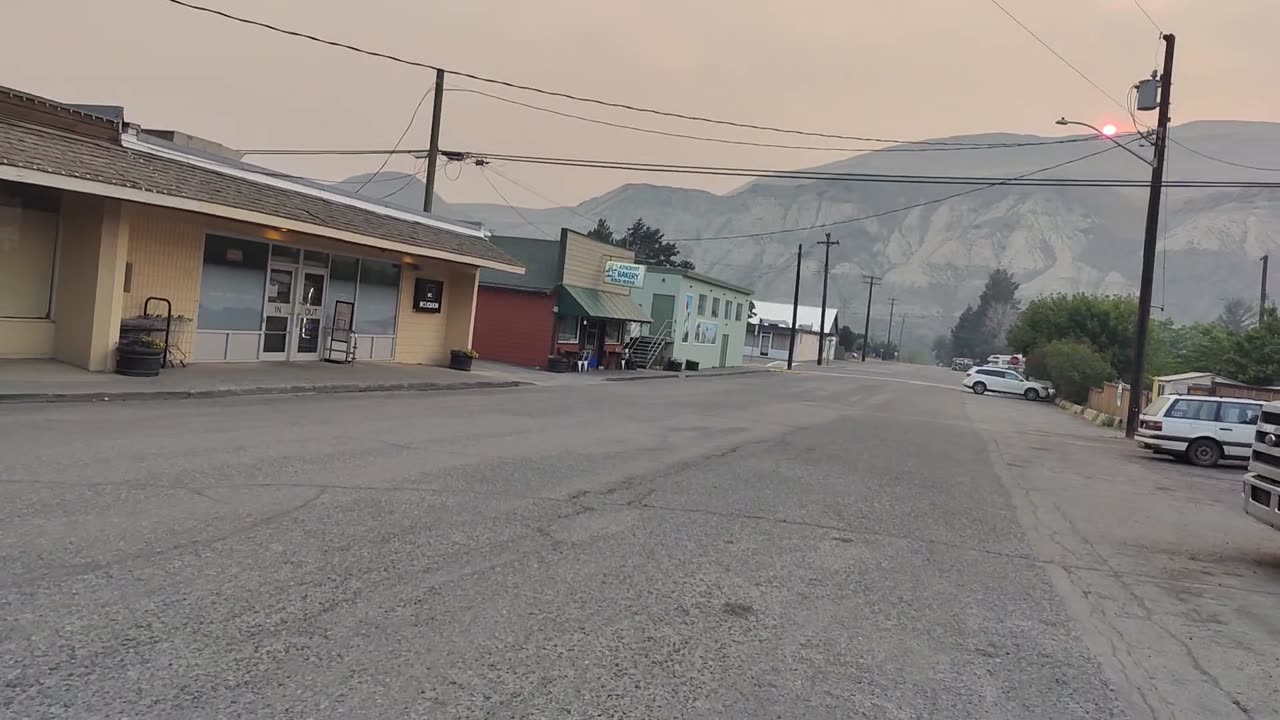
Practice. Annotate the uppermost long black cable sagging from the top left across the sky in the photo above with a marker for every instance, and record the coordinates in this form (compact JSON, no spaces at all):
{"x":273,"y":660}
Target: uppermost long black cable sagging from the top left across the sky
{"x":554,"y":93}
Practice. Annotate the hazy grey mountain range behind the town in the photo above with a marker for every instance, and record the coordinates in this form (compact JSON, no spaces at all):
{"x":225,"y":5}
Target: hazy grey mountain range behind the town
{"x":936,"y":258}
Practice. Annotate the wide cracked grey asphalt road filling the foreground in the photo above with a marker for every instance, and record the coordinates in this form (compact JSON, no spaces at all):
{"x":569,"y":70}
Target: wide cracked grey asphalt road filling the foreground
{"x":858,"y":543}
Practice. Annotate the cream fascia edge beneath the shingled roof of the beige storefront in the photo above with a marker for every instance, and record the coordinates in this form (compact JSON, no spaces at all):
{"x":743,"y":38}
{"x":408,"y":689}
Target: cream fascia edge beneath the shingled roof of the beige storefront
{"x":144,"y":198}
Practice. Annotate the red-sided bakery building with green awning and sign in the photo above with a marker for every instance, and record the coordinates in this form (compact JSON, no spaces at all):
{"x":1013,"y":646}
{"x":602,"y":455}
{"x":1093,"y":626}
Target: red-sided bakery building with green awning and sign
{"x":572,"y":300}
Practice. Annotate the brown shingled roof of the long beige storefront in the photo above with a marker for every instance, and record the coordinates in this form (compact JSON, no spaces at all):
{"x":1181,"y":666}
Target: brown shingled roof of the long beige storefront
{"x":98,"y":160}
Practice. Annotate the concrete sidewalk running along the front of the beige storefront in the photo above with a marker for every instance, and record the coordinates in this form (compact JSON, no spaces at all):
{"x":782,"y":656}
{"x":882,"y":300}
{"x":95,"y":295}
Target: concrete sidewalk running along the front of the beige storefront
{"x":47,"y":381}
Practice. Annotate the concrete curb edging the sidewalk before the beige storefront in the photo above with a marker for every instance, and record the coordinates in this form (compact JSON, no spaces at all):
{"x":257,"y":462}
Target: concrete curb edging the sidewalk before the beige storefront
{"x":31,"y":398}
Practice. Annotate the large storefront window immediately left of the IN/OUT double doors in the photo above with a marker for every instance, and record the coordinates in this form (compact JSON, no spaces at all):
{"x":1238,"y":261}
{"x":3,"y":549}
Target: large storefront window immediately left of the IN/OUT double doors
{"x":232,"y":285}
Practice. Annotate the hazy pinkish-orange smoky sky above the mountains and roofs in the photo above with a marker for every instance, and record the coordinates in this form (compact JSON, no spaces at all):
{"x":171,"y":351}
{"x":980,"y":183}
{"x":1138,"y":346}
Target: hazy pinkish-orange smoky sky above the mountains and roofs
{"x":908,"y":69}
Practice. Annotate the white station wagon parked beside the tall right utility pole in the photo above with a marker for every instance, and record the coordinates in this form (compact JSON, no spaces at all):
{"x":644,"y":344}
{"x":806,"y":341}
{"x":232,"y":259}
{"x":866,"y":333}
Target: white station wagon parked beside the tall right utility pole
{"x":1201,"y":430}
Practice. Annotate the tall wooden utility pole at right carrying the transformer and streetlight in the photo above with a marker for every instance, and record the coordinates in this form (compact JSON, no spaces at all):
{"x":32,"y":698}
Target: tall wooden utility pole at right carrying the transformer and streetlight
{"x":1149,"y":250}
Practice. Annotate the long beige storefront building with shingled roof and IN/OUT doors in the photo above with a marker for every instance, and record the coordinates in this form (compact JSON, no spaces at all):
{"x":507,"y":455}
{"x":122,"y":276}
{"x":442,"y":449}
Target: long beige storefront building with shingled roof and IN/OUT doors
{"x":99,"y":216}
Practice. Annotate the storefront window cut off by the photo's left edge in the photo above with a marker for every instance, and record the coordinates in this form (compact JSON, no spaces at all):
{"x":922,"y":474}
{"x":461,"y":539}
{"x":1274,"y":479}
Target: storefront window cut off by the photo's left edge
{"x":29,"y":240}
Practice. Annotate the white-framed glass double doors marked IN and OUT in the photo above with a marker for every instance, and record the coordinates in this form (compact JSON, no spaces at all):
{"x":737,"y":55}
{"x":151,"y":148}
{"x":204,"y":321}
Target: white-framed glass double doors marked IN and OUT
{"x":294,"y":315}
